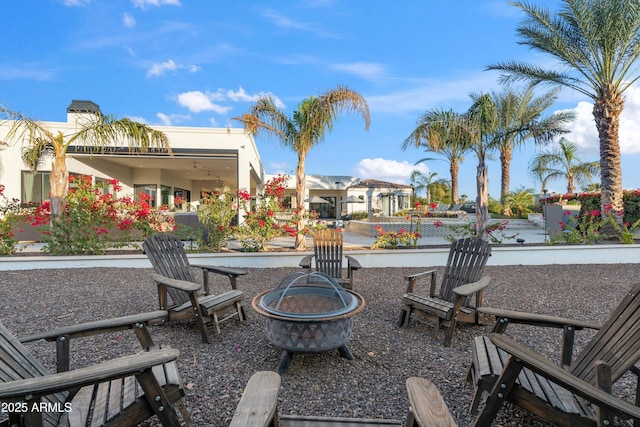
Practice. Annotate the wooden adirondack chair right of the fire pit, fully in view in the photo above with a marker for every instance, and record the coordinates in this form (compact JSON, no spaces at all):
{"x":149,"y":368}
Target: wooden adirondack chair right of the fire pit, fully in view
{"x":462,"y":280}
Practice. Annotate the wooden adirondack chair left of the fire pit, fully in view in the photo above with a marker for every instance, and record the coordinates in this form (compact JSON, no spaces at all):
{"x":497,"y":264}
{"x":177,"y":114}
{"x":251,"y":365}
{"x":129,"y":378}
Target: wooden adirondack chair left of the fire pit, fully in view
{"x":174,"y":277}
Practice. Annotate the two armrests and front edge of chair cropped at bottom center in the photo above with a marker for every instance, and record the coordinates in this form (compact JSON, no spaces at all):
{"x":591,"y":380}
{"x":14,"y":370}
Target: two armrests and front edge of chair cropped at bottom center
{"x":258,"y":407}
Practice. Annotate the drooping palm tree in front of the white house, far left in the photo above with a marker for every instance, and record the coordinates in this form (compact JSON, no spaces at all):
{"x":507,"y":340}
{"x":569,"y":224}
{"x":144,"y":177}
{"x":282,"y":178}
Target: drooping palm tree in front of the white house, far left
{"x":96,"y":133}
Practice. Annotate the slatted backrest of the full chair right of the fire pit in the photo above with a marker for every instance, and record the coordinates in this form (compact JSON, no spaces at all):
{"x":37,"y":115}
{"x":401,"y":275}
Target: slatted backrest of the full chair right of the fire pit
{"x":467,"y":259}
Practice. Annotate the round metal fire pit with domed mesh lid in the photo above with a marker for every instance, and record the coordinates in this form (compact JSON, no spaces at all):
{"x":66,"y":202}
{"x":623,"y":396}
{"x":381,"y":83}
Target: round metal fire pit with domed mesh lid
{"x":308,"y":313}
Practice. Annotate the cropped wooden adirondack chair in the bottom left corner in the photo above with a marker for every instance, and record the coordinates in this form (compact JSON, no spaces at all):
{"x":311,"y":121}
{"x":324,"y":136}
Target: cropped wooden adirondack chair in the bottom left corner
{"x":123,"y":391}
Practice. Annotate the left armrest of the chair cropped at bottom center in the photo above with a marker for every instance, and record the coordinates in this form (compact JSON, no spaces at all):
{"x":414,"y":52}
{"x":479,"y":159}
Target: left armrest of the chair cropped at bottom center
{"x":259,"y":401}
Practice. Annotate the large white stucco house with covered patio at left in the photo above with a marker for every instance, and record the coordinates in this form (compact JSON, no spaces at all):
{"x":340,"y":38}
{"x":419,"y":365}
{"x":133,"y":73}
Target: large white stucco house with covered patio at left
{"x":203,"y":159}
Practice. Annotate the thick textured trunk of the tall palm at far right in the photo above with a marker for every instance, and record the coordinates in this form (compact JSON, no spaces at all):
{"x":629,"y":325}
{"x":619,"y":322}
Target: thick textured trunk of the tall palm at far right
{"x":606,"y":111}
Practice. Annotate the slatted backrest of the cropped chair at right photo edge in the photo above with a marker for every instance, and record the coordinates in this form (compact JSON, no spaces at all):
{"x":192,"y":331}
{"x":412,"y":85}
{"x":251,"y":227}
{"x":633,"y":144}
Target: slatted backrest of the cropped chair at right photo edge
{"x":617,"y":342}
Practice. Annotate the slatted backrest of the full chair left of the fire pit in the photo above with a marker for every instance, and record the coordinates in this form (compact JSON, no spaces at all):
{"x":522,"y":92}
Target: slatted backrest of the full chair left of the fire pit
{"x":168,"y":257}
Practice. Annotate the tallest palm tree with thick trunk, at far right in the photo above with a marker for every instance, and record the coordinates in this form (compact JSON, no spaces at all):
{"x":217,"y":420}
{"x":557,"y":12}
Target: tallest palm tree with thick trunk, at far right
{"x":597,"y":43}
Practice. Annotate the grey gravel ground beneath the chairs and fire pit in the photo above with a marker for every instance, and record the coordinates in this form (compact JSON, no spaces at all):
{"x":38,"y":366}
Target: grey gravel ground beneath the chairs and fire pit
{"x":371,"y":385}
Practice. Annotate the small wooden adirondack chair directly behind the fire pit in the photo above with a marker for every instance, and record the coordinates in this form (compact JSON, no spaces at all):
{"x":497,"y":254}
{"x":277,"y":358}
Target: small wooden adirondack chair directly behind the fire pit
{"x":327,"y":254}
